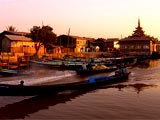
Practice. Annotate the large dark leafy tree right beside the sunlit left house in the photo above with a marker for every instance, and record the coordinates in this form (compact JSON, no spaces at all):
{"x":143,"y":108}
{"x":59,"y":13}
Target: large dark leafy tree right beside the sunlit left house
{"x":43,"y":36}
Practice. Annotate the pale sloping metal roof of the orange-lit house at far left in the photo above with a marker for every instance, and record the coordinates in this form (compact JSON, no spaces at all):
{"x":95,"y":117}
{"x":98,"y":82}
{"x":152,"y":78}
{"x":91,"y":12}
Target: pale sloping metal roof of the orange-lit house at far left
{"x":18,"y":38}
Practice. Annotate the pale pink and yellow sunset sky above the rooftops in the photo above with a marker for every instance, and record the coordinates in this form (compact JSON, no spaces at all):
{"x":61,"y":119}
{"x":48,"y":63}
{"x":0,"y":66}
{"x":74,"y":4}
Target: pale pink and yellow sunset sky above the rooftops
{"x":85,"y":18}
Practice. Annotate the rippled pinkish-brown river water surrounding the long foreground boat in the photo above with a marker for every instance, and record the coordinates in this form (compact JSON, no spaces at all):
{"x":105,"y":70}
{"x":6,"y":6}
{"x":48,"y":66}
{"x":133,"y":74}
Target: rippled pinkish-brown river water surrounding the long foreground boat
{"x":137,"y":98}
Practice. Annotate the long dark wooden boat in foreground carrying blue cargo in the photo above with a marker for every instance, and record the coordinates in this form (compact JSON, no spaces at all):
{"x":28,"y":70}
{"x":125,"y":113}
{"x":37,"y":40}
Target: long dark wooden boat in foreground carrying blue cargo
{"x":46,"y":90}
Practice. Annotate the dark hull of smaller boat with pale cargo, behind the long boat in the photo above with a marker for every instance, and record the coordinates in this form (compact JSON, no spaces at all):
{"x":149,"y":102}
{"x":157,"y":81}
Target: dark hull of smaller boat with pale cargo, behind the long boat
{"x":92,"y":71}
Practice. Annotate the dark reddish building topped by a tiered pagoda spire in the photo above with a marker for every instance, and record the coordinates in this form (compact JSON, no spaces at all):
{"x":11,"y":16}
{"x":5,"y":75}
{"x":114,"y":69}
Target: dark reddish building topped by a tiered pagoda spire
{"x":138,"y":43}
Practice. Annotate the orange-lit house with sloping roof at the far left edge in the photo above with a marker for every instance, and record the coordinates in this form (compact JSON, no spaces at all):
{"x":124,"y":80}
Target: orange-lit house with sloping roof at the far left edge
{"x":15,"y":42}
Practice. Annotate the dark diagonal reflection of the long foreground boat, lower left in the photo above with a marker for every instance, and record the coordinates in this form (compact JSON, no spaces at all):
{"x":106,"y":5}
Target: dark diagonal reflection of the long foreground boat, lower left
{"x":23,"y":108}
